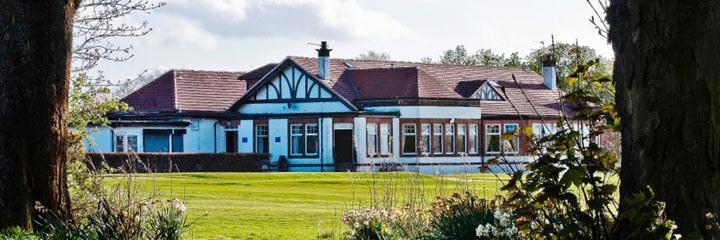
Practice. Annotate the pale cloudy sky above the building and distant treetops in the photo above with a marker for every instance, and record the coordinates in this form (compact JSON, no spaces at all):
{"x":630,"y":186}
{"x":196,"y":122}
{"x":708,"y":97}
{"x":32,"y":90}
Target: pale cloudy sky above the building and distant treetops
{"x":239,"y":35}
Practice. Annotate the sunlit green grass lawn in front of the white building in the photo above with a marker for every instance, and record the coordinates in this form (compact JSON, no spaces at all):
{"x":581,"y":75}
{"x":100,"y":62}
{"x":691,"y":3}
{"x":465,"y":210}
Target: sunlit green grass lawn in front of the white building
{"x":296,"y":205}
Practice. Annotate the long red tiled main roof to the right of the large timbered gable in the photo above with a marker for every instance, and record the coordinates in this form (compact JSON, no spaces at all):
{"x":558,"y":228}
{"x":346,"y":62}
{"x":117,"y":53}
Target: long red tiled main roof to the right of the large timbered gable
{"x":392,"y":79}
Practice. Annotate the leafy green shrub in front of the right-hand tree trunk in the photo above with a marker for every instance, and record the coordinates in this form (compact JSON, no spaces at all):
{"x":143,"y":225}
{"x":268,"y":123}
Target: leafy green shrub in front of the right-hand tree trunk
{"x":568,"y":192}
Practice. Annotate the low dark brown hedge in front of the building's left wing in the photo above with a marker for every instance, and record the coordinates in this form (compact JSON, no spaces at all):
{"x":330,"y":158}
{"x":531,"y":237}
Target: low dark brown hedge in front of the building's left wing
{"x":181,"y":162}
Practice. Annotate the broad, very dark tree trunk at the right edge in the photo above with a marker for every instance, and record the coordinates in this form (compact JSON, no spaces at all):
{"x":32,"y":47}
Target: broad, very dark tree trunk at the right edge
{"x":667,"y":69}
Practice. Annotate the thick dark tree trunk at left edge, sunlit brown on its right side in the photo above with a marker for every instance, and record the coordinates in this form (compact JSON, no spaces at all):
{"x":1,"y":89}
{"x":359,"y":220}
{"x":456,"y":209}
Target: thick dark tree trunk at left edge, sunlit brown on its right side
{"x":35,"y":44}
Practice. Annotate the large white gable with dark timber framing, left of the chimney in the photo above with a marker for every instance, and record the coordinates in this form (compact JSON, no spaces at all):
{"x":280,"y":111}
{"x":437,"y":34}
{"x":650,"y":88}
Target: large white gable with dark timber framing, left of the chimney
{"x":290,"y":89}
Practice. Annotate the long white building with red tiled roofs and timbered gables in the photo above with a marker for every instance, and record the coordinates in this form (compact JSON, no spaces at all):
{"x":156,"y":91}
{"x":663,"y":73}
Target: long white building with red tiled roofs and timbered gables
{"x":325,"y":114}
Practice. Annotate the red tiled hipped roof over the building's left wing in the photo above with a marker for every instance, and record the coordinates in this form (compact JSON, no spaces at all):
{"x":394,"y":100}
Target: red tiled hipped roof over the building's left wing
{"x":188,"y":90}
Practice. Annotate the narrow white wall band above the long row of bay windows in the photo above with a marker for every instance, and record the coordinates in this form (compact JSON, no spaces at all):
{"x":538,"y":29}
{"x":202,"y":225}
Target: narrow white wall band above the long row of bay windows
{"x":430,"y":111}
